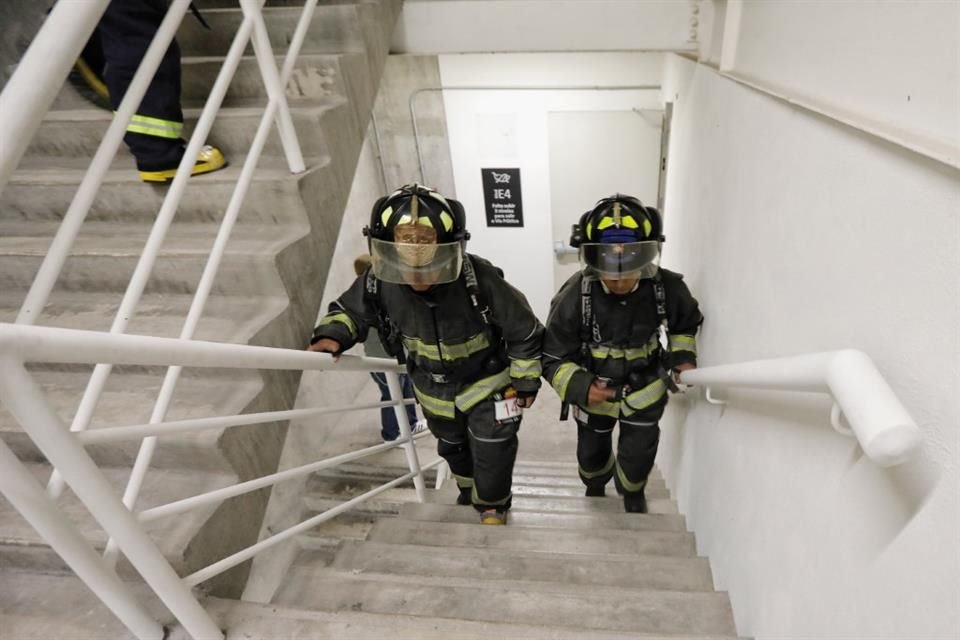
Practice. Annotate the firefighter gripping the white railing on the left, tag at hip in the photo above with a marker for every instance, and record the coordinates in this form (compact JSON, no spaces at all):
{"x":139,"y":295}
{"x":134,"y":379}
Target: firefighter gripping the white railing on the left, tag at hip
{"x":470,"y":341}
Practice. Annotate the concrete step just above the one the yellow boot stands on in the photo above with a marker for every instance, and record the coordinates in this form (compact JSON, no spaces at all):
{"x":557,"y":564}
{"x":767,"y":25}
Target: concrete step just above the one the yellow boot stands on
{"x":77,"y":133}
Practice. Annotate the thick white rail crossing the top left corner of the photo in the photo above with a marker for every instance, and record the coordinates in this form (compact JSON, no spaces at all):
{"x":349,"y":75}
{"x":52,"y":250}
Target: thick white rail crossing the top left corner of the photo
{"x":34,"y":86}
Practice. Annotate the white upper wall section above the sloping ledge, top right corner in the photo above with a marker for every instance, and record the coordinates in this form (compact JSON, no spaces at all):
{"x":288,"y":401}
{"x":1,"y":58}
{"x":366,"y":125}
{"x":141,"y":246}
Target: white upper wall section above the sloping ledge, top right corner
{"x":891,"y":64}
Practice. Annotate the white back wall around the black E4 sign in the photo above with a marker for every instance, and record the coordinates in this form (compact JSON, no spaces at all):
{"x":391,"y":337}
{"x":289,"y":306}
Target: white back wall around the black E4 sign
{"x":500,"y":129}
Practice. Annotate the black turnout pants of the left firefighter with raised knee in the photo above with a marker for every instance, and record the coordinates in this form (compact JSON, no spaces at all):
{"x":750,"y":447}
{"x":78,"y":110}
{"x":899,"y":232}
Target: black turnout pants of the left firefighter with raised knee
{"x":478,"y":447}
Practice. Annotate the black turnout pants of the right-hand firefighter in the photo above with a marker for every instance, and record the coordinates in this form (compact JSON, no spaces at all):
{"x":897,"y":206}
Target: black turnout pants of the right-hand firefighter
{"x":636,"y":448}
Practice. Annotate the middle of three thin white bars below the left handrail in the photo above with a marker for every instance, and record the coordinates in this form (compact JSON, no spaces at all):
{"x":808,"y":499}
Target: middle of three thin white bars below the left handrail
{"x":219,"y":495}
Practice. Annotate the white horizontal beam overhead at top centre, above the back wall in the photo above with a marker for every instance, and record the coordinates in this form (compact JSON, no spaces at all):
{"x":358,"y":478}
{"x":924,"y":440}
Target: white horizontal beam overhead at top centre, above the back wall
{"x":461,"y":26}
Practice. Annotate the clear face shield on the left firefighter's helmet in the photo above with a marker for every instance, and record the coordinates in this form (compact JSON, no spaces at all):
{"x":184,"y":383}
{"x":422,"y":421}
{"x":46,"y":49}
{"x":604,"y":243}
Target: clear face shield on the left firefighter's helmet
{"x":416,"y":263}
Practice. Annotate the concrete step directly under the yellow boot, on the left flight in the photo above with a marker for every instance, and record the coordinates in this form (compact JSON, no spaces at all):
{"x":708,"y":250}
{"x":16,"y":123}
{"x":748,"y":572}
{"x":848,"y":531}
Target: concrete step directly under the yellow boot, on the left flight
{"x":43,"y":189}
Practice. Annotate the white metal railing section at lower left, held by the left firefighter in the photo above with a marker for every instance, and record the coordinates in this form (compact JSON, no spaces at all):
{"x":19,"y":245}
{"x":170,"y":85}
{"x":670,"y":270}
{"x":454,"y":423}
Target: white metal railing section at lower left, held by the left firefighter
{"x":18,"y":391}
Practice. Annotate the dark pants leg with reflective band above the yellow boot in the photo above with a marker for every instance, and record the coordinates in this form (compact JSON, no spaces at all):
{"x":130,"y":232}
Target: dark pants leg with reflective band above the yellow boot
{"x":125,"y":31}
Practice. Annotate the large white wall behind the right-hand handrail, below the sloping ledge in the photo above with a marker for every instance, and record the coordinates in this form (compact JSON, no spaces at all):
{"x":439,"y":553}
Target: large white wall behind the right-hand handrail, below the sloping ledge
{"x":799,"y":234}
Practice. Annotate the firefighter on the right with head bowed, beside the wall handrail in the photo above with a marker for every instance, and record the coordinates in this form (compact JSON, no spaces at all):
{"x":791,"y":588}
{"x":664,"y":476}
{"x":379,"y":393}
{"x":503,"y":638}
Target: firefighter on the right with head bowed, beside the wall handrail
{"x":602,"y":349}
